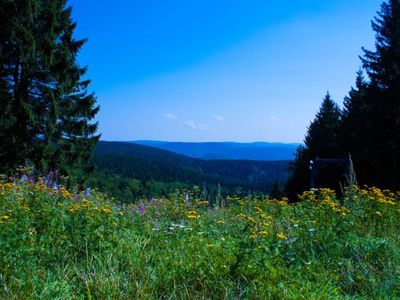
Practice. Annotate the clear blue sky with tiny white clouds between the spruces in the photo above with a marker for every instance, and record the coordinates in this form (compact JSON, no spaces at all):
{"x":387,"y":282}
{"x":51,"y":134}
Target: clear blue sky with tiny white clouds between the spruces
{"x":219,"y":70}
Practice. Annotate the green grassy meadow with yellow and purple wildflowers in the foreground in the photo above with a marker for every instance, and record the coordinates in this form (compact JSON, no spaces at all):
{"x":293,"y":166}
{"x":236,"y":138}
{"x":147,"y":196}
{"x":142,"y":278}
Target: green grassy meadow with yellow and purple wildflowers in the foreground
{"x":59,"y":244}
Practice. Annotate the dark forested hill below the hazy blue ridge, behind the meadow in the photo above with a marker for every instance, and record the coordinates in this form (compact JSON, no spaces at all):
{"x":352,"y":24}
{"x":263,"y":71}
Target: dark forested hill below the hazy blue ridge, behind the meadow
{"x":145,"y":164}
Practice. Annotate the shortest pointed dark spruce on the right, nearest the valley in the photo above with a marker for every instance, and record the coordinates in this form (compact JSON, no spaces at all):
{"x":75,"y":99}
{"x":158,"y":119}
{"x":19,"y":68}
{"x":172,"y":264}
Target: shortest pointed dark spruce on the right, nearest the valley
{"x":321,"y":141}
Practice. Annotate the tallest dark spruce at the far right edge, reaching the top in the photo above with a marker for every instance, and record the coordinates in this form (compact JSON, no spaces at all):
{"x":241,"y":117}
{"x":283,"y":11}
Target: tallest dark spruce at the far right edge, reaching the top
{"x":383,"y":99}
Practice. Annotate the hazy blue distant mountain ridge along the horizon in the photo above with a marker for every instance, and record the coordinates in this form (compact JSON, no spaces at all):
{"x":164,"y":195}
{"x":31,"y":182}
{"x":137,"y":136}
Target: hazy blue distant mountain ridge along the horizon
{"x":261,"y":151}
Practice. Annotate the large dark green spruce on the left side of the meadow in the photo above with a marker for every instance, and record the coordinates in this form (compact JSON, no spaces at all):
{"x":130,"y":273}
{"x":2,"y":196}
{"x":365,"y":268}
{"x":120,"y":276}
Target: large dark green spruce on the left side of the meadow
{"x":46,"y":111}
